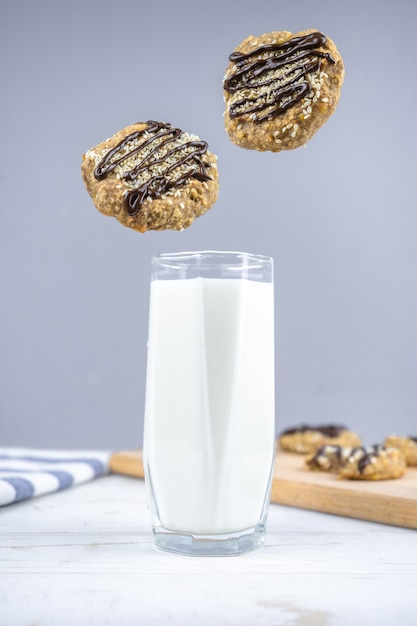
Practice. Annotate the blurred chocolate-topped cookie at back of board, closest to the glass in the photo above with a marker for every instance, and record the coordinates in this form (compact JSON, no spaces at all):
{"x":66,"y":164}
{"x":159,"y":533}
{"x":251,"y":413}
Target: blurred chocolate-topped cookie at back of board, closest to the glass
{"x":306,"y":438}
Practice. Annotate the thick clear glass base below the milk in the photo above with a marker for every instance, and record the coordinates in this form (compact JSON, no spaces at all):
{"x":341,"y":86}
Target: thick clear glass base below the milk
{"x":232,"y":544}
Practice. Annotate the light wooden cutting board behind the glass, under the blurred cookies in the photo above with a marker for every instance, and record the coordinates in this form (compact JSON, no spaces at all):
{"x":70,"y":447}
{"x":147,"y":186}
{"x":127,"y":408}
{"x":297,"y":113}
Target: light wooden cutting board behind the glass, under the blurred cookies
{"x":387,"y":501}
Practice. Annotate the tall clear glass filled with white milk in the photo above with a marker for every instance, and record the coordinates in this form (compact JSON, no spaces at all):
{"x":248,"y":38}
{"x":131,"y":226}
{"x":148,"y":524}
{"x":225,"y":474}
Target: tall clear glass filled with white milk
{"x":209,"y":411}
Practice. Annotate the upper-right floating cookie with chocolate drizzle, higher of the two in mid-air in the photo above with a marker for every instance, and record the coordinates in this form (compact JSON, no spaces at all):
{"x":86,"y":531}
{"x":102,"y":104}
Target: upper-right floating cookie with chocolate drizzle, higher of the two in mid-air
{"x":280,"y":88}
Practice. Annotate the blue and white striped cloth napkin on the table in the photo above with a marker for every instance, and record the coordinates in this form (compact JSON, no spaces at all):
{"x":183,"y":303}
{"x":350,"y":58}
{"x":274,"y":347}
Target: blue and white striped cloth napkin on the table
{"x":29,"y":472}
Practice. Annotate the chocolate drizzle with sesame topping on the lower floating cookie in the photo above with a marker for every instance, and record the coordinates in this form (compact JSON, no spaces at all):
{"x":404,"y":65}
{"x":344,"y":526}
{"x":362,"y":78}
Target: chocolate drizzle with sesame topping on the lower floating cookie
{"x":161,"y":162}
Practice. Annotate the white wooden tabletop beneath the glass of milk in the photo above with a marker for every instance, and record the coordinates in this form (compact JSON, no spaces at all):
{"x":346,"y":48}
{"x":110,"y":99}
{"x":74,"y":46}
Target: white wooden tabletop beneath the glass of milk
{"x":85,"y":556}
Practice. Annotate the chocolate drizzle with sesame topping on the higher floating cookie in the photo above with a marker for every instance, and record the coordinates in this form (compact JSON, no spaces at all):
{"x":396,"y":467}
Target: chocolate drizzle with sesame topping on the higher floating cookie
{"x":281,"y":69}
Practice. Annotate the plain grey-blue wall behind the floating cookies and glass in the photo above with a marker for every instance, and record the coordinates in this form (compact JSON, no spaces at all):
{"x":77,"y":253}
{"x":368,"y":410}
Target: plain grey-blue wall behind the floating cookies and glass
{"x":339,"y":216}
